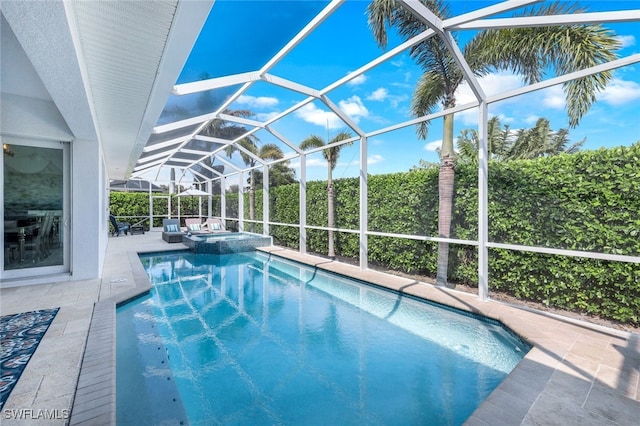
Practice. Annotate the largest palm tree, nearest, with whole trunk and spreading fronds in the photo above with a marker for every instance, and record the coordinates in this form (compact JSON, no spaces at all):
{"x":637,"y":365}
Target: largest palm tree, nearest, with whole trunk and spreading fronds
{"x":528,"y":52}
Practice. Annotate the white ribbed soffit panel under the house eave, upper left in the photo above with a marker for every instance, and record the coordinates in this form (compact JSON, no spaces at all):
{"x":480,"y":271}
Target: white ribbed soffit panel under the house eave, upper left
{"x":133,"y":52}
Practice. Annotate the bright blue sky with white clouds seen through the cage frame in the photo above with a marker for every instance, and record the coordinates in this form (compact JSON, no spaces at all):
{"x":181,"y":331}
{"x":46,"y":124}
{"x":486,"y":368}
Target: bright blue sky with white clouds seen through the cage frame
{"x":381,"y":97}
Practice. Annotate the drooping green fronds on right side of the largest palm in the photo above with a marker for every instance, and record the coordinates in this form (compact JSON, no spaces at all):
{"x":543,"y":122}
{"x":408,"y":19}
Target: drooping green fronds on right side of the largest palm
{"x":564,"y":49}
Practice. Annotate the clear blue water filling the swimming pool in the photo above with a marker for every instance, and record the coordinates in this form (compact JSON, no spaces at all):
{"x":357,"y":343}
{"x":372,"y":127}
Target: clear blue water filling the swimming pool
{"x":250,"y":339}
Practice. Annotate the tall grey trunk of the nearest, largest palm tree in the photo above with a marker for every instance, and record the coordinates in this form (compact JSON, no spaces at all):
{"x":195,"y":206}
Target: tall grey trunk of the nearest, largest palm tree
{"x":446,"y":180}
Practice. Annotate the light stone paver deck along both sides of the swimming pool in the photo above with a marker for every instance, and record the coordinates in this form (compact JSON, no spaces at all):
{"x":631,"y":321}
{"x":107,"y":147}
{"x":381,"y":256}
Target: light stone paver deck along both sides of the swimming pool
{"x":576,"y":374}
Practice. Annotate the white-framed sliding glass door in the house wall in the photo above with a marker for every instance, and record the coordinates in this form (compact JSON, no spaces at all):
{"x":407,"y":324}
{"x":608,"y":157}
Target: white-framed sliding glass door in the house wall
{"x":35,"y":208}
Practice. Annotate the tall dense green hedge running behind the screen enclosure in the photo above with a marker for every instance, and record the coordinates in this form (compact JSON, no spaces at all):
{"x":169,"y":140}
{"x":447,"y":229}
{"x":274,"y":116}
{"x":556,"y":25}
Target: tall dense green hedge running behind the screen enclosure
{"x":586,"y":201}
